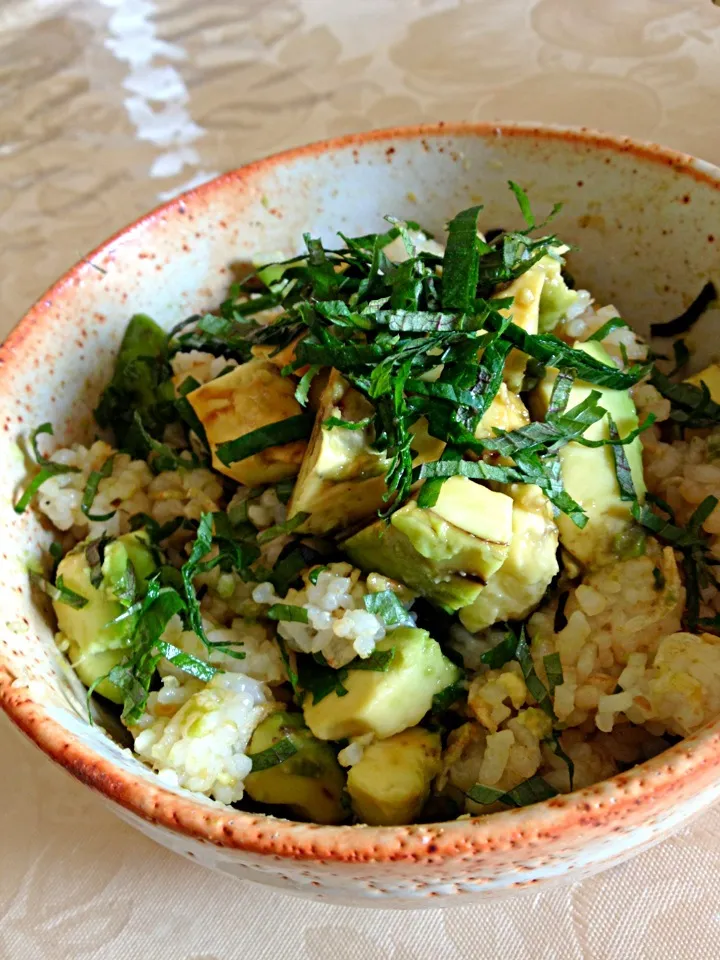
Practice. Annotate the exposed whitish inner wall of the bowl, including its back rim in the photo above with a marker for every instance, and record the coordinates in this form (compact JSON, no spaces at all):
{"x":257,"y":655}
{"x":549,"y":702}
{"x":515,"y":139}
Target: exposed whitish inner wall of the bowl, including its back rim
{"x":644,"y":223}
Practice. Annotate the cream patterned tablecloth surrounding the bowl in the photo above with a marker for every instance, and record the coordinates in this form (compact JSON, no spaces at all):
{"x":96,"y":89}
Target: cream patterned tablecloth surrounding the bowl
{"x":108,"y":107}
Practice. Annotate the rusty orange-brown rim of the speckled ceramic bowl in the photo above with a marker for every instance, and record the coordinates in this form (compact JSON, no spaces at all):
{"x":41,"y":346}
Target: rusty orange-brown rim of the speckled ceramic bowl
{"x":603,"y":806}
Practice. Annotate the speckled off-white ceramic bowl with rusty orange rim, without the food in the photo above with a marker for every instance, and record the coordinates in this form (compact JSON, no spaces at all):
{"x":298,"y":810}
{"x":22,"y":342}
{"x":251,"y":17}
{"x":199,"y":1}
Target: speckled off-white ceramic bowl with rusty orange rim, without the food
{"x":647,"y":224}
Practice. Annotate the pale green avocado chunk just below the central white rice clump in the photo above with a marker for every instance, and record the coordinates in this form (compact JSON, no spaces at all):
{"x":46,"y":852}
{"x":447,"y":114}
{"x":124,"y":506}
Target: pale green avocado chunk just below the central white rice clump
{"x":384,"y":702}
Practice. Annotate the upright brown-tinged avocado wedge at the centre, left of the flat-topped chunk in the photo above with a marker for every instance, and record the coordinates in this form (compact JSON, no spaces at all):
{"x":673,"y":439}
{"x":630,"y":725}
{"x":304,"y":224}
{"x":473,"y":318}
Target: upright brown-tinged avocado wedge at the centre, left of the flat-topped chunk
{"x":341,"y":479}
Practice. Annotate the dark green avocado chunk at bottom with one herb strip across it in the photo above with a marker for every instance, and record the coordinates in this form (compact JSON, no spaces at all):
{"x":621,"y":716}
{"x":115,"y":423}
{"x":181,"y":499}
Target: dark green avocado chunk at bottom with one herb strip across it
{"x":310,"y":782}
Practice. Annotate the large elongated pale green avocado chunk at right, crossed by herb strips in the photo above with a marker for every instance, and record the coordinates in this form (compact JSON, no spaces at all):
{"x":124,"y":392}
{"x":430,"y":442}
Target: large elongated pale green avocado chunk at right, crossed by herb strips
{"x":589,"y":472}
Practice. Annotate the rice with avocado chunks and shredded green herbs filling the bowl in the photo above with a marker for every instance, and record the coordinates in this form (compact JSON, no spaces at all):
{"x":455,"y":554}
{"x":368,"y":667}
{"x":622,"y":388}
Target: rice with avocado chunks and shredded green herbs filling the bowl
{"x":403,"y":531}
